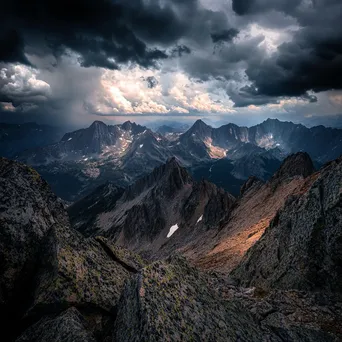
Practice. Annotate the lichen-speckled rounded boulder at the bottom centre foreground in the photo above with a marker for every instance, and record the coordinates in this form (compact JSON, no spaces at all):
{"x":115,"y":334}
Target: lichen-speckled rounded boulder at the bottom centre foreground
{"x":170,"y":301}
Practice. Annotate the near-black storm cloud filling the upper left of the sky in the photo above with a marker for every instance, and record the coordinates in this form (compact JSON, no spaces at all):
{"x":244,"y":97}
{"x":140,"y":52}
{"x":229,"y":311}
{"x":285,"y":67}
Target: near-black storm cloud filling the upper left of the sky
{"x":105,"y":33}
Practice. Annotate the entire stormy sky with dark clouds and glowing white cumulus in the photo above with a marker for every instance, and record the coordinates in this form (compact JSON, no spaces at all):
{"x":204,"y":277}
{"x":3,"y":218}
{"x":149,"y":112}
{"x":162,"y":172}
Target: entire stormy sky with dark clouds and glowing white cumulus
{"x":72,"y":62}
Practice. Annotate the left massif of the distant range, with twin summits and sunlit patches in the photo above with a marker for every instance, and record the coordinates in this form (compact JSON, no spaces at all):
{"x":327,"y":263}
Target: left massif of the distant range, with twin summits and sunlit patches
{"x":87,"y":158}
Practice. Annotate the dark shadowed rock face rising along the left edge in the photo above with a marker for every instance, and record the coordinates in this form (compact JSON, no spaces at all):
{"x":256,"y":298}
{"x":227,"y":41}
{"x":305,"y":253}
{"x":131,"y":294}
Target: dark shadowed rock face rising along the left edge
{"x":28,"y":212}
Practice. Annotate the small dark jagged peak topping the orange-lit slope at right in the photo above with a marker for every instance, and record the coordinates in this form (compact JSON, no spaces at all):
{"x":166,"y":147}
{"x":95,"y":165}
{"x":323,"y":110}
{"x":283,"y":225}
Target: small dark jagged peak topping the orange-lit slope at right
{"x":297,"y":164}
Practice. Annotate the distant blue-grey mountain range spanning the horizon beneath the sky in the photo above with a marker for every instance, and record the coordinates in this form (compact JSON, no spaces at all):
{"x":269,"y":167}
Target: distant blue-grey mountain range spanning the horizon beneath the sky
{"x":226,"y":156}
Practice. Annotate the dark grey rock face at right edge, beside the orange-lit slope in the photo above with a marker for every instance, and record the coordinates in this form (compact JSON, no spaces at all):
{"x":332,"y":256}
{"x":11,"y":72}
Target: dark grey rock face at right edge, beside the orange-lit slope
{"x":301,"y":248}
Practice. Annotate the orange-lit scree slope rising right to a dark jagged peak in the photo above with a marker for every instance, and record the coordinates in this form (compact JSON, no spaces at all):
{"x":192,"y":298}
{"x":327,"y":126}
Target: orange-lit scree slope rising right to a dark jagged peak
{"x":252,"y":213}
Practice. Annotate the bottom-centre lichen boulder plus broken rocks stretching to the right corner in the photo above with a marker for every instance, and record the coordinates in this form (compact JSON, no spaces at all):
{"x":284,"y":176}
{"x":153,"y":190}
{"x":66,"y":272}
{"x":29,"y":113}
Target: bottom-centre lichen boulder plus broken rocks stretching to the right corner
{"x":172,"y":301}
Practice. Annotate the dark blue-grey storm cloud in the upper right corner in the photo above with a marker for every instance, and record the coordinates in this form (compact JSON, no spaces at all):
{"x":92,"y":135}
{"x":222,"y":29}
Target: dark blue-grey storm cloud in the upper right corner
{"x":311,"y":61}
